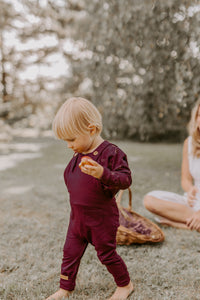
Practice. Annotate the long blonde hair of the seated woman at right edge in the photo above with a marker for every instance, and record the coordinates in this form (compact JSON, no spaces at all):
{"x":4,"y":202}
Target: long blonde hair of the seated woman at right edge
{"x":194,"y":130}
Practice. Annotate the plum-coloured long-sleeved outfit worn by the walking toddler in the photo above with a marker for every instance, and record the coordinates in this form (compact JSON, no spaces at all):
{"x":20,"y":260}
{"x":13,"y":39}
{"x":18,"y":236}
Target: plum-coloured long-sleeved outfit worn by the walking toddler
{"x":94,"y":214}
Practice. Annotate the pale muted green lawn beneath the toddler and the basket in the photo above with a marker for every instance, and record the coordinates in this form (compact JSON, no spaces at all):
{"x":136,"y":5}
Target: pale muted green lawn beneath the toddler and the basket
{"x":34,"y":223}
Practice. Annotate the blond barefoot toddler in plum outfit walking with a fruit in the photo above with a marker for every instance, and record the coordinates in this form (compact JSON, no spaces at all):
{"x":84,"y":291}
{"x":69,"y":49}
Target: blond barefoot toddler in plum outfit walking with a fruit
{"x":92,"y":186}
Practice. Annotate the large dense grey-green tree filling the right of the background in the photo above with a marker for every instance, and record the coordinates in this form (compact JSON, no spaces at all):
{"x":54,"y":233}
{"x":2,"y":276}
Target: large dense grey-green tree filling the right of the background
{"x":142,"y":69}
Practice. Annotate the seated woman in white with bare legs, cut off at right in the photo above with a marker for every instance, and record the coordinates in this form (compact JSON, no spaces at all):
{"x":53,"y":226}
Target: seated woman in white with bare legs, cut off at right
{"x":182,"y":211}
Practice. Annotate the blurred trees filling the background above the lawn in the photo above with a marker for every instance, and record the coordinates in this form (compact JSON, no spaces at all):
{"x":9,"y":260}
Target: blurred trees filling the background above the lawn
{"x":138,"y":61}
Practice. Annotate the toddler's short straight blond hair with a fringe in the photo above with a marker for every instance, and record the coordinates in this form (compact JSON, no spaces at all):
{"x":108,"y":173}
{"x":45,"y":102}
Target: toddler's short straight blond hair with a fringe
{"x":74,"y":117}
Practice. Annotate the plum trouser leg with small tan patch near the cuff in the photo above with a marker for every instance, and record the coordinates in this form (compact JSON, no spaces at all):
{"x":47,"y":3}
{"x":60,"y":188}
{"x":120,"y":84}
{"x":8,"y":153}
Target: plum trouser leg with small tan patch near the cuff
{"x":74,"y":249}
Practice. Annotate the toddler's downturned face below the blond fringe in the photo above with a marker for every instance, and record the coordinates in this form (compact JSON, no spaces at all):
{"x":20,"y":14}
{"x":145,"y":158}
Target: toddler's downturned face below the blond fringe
{"x":81,"y":143}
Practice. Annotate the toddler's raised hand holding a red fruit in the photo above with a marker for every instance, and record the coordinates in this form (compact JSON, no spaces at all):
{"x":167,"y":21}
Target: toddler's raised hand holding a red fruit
{"x":91,"y":167}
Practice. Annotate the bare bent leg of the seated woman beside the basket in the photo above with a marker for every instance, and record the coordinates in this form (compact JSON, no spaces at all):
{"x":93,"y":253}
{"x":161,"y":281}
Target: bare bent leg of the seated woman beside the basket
{"x":174,"y":214}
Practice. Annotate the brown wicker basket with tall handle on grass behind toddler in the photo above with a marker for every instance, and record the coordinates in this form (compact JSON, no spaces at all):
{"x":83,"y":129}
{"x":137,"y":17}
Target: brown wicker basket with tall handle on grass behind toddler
{"x":135,"y":228}
